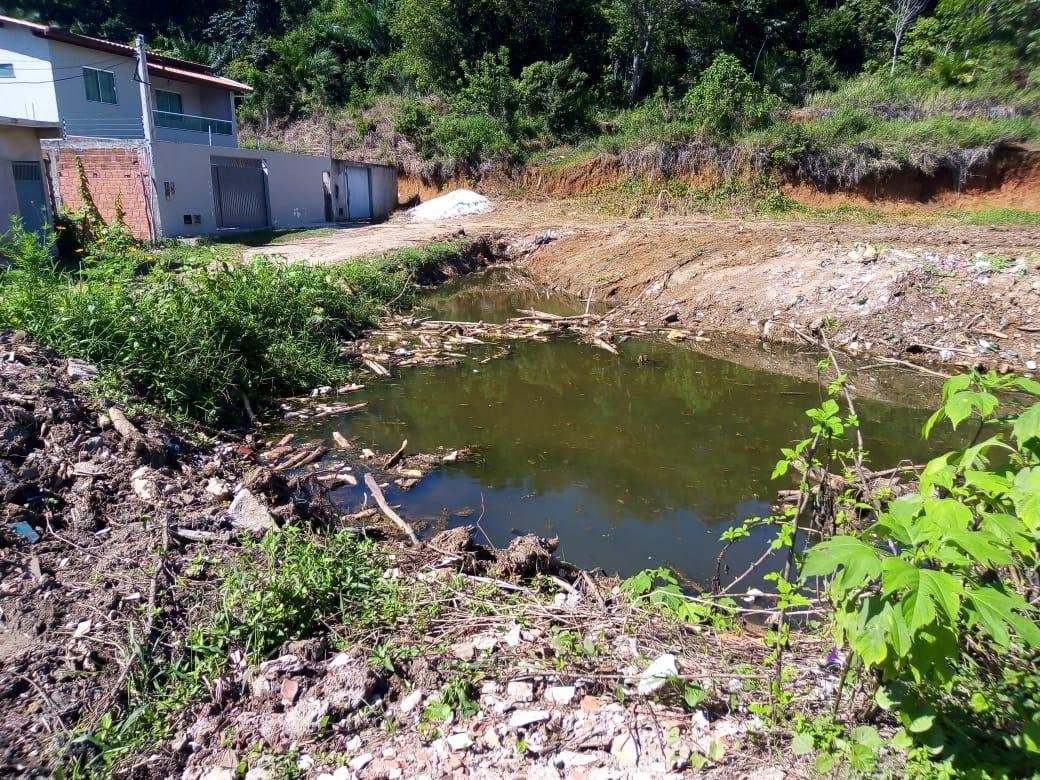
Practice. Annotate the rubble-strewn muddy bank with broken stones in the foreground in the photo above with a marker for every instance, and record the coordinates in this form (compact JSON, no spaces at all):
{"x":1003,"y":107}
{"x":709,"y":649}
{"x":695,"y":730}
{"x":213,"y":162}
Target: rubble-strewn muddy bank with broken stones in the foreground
{"x":116,"y":534}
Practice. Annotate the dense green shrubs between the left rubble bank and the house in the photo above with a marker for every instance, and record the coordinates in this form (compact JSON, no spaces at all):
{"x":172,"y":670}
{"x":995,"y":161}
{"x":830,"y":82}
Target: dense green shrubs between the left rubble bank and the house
{"x":200,"y":341}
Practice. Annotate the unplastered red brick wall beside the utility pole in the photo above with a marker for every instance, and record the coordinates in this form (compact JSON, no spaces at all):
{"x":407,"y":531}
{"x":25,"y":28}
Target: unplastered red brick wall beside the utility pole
{"x":111,"y":172}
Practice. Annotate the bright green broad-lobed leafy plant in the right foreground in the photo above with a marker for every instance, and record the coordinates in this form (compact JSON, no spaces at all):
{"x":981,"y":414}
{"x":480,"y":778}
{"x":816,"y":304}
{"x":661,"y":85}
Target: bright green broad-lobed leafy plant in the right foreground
{"x":930,"y":595}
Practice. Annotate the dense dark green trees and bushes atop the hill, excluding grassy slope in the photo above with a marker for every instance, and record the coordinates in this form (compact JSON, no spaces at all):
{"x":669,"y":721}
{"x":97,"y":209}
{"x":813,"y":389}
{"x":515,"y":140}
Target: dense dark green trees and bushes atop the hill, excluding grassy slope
{"x":479,"y":80}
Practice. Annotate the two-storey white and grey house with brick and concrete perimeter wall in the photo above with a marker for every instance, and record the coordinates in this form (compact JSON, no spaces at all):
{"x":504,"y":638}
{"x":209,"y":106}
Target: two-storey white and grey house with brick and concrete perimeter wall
{"x":159,"y":136}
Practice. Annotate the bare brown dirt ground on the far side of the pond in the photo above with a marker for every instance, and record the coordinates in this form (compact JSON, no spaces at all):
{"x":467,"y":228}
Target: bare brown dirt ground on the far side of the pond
{"x":967,"y":296}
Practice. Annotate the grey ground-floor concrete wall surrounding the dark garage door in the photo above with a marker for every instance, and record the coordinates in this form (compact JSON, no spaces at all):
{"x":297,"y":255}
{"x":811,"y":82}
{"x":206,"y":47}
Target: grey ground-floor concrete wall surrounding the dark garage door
{"x":295,"y":191}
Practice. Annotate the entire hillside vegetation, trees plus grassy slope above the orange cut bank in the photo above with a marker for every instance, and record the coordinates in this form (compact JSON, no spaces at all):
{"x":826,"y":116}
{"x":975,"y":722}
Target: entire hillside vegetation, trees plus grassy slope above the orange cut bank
{"x":826,"y":92}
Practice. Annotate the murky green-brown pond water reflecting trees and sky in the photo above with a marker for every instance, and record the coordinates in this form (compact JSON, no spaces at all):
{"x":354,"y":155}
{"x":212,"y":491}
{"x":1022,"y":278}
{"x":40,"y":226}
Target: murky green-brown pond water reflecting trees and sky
{"x":637,"y":460}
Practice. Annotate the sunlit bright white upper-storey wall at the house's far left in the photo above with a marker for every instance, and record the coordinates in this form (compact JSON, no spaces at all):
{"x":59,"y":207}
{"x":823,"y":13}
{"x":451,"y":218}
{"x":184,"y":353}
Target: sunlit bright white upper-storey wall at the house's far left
{"x":31,"y":94}
